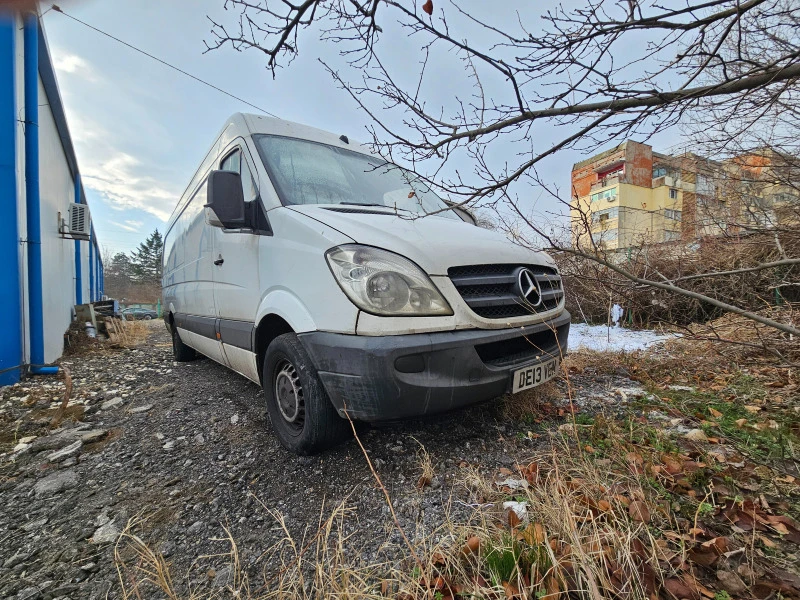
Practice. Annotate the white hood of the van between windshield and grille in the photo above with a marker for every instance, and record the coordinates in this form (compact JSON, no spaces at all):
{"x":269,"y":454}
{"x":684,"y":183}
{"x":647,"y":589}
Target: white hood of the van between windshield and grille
{"x":434,"y":243}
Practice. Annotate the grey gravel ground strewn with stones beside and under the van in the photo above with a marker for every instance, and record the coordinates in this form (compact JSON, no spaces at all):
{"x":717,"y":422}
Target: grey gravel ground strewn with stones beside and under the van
{"x":189,"y":448}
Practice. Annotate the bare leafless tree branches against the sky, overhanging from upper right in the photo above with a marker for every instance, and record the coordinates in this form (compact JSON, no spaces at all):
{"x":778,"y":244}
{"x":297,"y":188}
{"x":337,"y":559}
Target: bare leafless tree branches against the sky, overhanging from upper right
{"x":585,"y":76}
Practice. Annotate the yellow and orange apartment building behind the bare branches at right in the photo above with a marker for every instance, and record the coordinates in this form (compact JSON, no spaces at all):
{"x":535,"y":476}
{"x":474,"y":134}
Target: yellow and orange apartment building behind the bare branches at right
{"x":630,"y":195}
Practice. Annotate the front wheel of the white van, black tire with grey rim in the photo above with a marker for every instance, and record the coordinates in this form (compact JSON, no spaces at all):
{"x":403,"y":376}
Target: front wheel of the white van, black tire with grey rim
{"x":301,"y":412}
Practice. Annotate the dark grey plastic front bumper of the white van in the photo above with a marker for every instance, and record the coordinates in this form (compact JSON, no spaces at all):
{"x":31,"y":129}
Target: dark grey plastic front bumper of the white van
{"x":392,"y":377}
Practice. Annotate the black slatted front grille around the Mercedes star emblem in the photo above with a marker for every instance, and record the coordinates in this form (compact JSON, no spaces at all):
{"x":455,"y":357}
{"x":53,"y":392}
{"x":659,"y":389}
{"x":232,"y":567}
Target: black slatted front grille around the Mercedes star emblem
{"x":491,"y":290}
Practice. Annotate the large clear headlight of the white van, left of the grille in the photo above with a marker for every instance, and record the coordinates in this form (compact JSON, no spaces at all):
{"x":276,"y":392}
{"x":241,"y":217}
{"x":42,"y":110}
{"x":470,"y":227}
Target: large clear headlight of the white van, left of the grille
{"x":384,"y":283}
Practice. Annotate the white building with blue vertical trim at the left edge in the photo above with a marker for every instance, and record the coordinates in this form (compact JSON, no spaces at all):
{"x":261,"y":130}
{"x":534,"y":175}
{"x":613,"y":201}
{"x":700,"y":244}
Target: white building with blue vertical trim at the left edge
{"x":45,"y":272}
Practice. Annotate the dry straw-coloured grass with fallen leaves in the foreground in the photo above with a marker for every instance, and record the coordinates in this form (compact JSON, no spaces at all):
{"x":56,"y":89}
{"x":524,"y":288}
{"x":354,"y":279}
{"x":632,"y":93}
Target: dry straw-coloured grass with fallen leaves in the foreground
{"x":570,"y":540}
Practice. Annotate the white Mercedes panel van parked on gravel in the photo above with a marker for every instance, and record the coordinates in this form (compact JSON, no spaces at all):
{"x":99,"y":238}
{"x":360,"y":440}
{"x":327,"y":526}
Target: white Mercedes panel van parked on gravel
{"x":345,"y":287}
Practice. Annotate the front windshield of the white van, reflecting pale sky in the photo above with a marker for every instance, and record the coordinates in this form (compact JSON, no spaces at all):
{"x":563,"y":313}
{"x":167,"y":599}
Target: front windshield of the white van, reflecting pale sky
{"x":305,"y":172}
